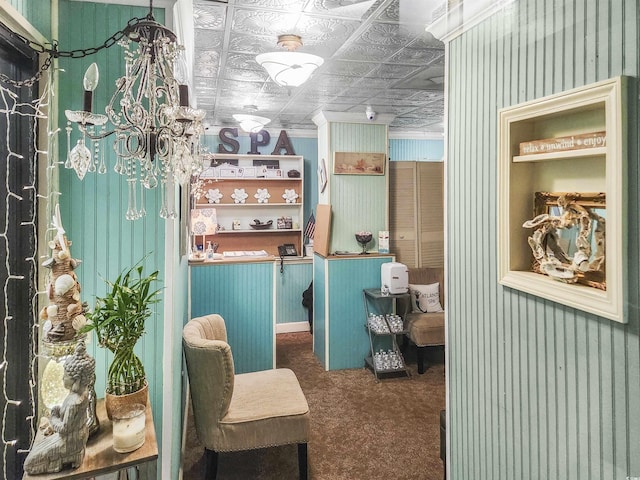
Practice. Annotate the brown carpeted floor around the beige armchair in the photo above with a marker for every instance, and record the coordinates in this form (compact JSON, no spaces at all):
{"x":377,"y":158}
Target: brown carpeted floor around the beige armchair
{"x":360,"y":429}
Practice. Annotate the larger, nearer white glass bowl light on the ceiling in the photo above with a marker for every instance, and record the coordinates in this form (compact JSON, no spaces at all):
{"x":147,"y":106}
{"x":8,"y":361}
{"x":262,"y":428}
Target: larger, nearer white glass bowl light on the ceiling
{"x":290,"y":68}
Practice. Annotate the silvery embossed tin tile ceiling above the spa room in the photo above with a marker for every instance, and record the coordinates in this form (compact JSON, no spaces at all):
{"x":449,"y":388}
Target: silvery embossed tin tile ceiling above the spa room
{"x":376,"y":52}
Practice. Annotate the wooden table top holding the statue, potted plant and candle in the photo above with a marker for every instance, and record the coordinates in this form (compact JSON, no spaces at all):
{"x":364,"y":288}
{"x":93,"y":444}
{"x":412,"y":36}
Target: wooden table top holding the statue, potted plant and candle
{"x":100,"y":458}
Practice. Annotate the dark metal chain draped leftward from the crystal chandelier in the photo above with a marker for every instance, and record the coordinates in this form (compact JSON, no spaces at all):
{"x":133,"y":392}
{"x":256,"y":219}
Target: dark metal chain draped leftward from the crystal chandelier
{"x":51,"y":49}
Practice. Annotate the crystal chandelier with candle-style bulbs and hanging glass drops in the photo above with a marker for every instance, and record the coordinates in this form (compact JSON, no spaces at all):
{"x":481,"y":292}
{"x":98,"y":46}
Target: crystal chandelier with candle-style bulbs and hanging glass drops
{"x":157,"y":134}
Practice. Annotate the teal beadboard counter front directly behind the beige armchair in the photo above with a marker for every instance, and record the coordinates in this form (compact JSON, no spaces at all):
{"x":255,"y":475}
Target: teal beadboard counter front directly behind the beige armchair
{"x":242,"y":294}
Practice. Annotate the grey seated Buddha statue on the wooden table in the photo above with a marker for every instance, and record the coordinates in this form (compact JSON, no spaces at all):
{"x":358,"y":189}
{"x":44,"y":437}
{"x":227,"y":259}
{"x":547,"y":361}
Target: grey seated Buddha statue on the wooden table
{"x":66,"y":431}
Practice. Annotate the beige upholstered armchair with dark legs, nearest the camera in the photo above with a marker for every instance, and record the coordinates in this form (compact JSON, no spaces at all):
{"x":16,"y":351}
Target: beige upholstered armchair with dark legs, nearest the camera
{"x":240,"y":412}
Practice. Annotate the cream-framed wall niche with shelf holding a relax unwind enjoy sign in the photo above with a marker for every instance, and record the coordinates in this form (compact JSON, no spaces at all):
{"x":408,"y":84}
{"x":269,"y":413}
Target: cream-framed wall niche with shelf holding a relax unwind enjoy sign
{"x":573,"y":141}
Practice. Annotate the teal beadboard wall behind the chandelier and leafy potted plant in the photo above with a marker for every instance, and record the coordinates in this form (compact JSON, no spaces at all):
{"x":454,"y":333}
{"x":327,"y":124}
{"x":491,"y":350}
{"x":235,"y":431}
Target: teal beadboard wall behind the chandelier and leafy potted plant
{"x":93,"y":209}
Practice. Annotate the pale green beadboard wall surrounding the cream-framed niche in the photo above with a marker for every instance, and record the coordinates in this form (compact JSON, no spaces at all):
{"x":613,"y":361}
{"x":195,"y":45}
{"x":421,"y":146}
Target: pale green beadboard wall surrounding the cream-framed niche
{"x":537,"y":390}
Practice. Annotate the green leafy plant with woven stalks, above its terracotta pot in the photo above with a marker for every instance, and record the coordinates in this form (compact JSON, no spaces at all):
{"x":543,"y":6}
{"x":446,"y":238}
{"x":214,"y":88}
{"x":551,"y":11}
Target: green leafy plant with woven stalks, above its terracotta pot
{"x":118,"y":320}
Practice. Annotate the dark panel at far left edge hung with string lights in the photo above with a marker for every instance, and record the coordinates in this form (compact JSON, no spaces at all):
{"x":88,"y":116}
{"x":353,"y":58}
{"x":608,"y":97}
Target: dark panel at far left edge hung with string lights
{"x":17,"y":245}
